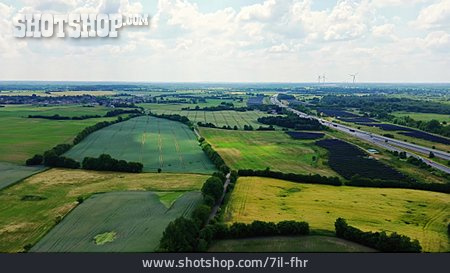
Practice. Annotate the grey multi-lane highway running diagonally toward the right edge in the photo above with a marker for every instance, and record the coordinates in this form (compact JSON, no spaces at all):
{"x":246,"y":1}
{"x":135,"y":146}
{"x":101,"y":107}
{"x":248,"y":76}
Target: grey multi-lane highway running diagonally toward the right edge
{"x":380,"y":141}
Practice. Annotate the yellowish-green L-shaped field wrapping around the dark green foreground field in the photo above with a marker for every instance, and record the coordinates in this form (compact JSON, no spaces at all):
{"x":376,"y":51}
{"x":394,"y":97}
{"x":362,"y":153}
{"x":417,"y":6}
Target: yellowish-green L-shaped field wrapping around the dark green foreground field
{"x":53,"y":193}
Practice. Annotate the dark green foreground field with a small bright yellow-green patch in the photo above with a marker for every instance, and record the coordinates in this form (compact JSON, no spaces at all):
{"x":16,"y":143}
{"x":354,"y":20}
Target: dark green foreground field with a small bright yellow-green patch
{"x":116,"y":222}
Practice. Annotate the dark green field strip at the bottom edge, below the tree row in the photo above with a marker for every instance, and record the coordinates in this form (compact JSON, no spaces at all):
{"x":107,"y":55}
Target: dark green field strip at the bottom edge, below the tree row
{"x":311,"y":243}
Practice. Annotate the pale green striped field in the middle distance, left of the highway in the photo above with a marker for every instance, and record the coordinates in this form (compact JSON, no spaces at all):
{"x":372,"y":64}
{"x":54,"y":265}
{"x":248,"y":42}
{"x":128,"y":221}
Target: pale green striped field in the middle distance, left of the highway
{"x":221,"y":118}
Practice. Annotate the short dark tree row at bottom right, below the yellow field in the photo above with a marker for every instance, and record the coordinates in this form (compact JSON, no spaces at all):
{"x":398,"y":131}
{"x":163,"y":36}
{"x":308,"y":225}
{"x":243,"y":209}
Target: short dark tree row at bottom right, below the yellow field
{"x":378,"y":240}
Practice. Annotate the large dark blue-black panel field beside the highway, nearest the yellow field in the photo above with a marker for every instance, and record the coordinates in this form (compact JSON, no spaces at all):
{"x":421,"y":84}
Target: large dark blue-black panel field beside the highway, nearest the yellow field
{"x":348,"y":160}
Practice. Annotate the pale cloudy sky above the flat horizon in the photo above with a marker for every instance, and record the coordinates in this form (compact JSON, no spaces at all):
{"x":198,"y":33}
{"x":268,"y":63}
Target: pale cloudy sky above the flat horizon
{"x":239,"y":41}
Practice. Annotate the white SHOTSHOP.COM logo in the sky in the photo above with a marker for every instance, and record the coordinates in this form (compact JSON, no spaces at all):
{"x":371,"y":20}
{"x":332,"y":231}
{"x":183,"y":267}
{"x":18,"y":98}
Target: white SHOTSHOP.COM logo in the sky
{"x":74,"y":25}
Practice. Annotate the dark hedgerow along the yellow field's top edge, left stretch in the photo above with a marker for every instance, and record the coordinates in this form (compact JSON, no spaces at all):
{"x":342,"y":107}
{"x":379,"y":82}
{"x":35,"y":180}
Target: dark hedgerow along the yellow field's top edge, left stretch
{"x":300,"y":178}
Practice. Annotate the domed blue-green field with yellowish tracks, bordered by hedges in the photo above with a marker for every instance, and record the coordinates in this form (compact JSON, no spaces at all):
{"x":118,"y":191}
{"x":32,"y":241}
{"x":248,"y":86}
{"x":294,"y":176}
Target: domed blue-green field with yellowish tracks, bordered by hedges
{"x":156,"y":143}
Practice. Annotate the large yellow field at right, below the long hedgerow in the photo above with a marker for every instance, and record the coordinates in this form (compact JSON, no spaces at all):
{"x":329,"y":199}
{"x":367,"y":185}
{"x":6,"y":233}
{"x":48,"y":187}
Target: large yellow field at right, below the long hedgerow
{"x":420,"y":215}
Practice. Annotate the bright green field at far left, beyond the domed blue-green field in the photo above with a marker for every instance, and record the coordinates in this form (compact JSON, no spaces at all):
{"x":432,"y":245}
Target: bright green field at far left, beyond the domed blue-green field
{"x":22,"y":137}
